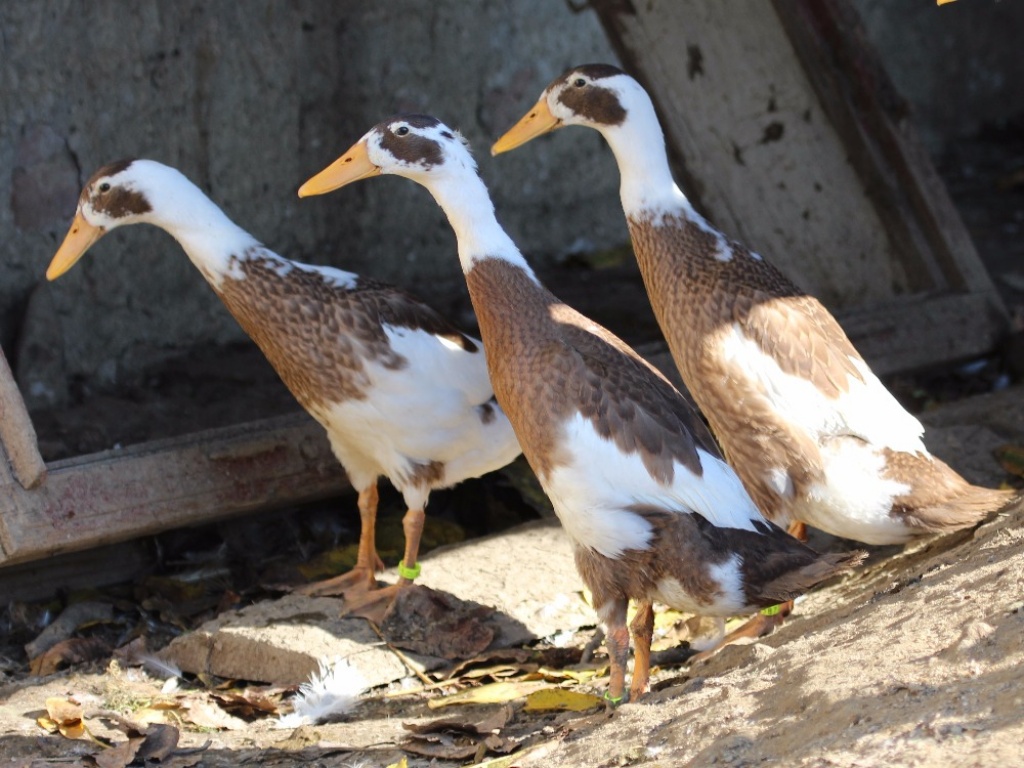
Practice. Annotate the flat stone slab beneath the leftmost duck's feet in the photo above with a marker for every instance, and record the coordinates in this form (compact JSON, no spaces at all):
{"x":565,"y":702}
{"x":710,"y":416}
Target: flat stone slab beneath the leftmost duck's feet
{"x":514,"y":588}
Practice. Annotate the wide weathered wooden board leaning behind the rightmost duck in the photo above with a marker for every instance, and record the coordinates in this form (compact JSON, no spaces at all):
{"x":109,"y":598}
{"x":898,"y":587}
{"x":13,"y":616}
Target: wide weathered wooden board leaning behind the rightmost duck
{"x":797,"y":150}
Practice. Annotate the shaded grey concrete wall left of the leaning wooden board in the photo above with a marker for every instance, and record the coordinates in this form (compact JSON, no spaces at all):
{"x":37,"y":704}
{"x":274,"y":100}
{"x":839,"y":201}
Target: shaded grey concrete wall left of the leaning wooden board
{"x":249,"y":99}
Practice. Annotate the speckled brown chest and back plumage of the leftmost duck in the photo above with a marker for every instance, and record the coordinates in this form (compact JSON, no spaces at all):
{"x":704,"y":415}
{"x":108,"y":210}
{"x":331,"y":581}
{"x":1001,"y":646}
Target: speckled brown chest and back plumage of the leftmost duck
{"x":323,"y":334}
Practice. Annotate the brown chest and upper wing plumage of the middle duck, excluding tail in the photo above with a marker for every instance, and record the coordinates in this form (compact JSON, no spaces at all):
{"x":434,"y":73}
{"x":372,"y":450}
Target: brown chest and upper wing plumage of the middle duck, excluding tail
{"x":556,"y":363}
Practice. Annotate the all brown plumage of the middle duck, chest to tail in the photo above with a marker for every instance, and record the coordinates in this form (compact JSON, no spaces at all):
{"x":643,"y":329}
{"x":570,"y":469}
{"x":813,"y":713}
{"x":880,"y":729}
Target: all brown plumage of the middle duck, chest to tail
{"x":553,"y":364}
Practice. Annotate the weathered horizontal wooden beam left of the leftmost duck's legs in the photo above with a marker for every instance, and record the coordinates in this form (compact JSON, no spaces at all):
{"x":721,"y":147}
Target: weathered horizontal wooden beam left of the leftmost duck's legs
{"x":119,"y":495}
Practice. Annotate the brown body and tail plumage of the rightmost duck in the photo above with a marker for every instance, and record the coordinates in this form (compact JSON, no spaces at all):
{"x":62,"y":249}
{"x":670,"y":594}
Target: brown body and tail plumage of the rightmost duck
{"x":698,"y":297}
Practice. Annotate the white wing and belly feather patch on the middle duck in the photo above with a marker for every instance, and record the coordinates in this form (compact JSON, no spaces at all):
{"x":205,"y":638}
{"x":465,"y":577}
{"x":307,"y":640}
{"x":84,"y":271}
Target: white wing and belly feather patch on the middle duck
{"x":593,"y":492}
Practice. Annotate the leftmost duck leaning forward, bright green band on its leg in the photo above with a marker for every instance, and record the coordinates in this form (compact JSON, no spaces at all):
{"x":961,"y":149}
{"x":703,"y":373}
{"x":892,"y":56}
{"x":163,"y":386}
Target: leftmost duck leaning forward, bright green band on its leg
{"x":402,"y":394}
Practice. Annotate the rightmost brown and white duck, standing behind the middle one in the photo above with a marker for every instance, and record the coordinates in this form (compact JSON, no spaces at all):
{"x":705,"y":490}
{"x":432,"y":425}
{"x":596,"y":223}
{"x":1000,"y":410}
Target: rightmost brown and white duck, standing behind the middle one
{"x":815,"y":436}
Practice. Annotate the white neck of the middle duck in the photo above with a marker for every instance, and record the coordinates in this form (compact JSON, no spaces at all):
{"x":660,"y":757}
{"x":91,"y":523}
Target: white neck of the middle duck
{"x":467,"y":204}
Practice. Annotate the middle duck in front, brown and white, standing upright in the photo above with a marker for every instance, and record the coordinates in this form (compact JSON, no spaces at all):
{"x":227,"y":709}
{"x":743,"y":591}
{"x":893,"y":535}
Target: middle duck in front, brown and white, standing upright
{"x":652,"y":509}
